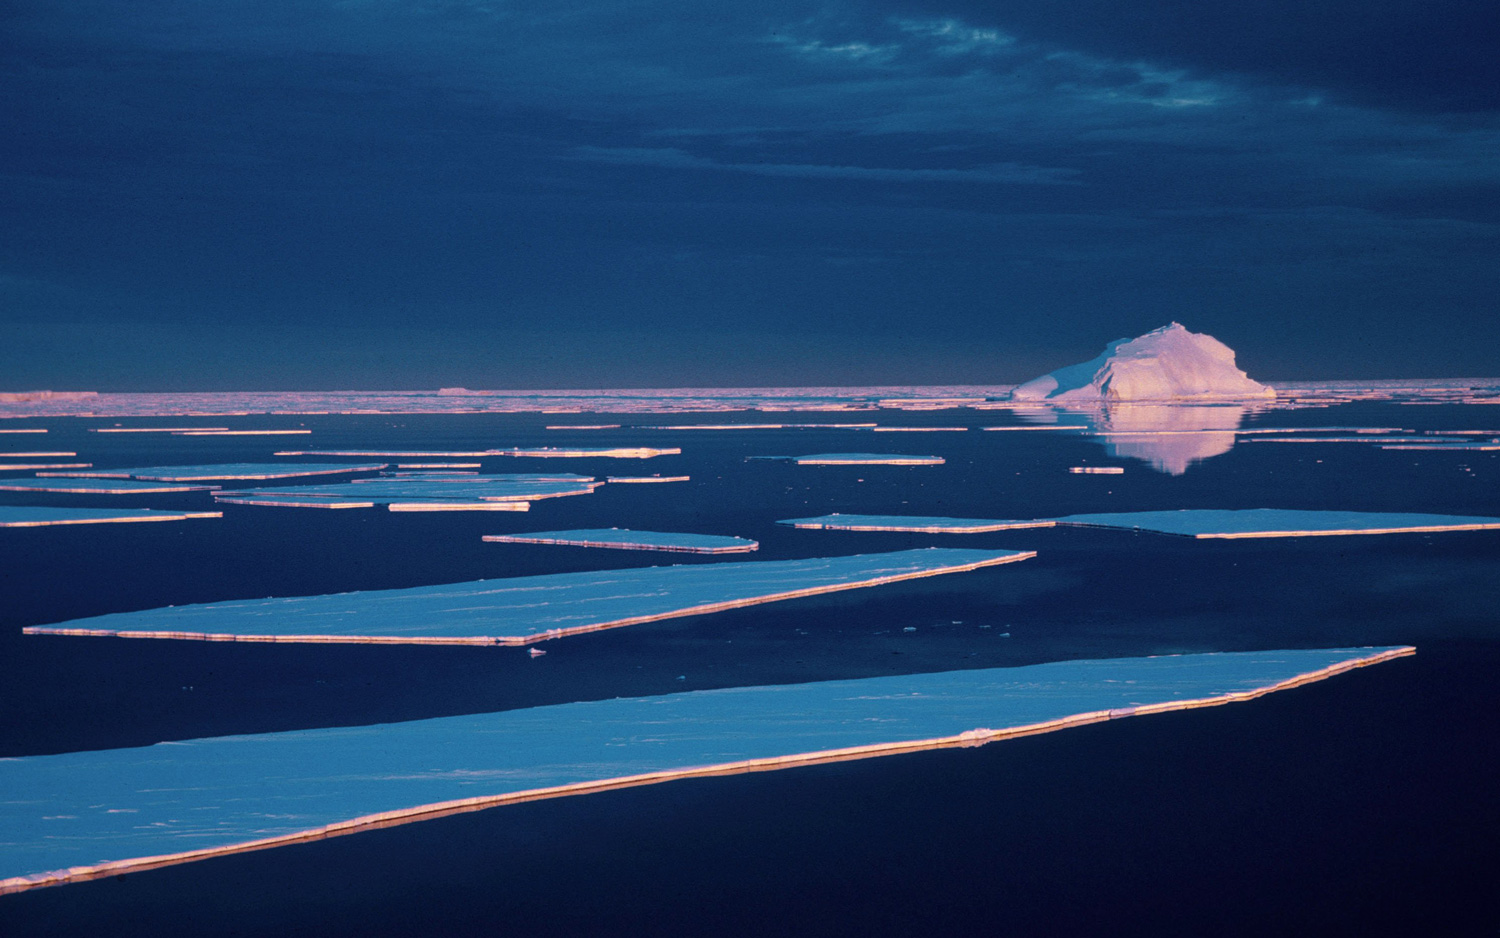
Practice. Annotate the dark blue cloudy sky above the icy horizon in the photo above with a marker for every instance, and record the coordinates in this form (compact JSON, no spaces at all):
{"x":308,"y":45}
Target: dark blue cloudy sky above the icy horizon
{"x":403,"y":194}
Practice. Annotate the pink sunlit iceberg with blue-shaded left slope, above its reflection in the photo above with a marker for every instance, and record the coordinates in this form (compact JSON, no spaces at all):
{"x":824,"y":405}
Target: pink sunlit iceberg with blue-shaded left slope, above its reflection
{"x":1168,"y":364}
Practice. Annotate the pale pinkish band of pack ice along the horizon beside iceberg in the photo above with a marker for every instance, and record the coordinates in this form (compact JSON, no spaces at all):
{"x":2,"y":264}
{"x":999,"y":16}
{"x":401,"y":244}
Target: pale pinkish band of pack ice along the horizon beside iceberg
{"x":667,"y":400}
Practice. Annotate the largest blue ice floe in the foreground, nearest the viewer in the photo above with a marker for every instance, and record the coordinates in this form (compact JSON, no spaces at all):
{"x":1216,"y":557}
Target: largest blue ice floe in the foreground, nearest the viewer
{"x":85,"y":816}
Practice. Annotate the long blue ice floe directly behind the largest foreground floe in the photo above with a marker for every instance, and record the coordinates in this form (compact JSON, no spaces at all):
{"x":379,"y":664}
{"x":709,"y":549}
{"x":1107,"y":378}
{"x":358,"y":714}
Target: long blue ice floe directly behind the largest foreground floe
{"x":529,"y":610}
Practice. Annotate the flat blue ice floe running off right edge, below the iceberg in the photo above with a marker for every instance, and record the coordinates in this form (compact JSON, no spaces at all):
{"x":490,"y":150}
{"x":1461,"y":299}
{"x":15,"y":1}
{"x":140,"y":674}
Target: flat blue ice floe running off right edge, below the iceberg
{"x":1280,"y":523}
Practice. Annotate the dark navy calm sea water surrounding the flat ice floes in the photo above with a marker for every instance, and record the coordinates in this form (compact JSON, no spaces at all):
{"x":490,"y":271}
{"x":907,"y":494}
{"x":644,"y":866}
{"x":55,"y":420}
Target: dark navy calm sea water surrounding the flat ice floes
{"x":1361,"y":804}
